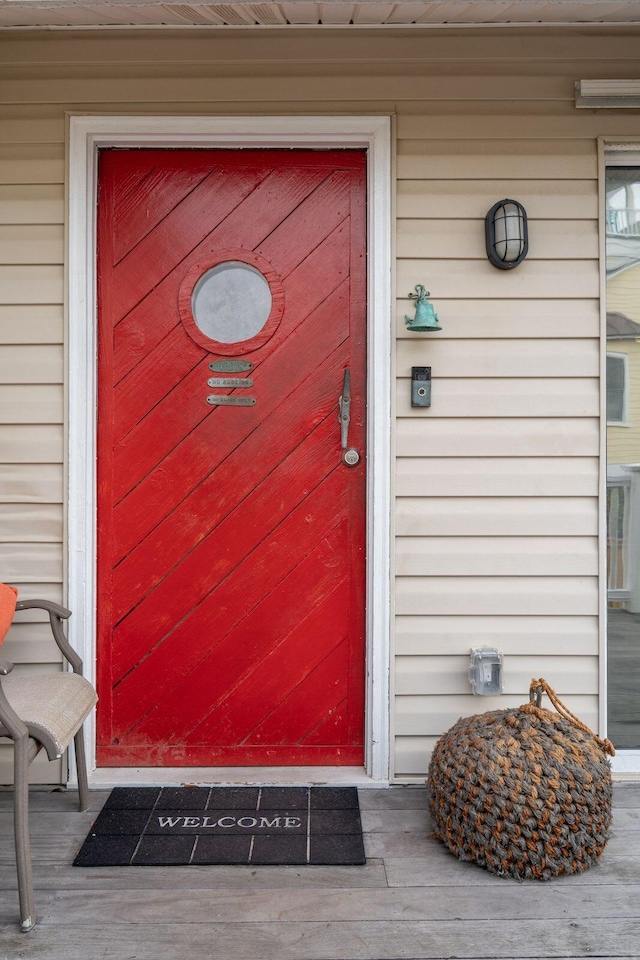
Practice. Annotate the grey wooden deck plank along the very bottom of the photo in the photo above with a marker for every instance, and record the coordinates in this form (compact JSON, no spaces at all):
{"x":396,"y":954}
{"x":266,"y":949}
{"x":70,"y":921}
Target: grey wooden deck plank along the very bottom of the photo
{"x":371,"y":940}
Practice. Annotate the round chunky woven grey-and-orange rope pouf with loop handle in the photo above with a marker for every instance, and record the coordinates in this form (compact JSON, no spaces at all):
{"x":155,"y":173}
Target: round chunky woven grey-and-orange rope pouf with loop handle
{"x":524,"y":792}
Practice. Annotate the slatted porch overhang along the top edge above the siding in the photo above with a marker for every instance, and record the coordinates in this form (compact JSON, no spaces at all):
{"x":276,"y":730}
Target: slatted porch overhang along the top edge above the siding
{"x":304,"y":14}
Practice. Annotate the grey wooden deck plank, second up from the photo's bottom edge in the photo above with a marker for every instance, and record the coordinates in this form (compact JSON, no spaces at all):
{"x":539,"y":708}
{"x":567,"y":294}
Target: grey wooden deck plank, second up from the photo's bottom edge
{"x":506,"y":900}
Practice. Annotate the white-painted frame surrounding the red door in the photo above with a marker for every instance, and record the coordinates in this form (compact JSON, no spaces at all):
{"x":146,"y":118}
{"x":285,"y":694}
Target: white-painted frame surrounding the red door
{"x":86,"y":135}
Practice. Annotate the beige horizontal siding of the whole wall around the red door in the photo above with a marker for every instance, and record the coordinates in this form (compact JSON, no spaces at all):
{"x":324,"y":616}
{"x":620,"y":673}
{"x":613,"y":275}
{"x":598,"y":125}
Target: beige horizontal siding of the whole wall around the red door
{"x":496,"y":484}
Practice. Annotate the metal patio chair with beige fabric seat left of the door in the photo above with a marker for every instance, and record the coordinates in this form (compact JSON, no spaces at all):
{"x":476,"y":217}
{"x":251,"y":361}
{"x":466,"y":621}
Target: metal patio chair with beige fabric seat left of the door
{"x":44,"y":710}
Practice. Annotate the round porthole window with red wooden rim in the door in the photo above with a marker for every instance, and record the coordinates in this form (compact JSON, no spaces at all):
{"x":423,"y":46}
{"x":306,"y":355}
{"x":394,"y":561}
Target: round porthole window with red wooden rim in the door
{"x":231,"y":304}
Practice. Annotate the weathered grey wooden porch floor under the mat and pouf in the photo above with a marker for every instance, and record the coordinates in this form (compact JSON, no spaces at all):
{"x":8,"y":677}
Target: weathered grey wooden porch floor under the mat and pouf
{"x":412,"y":899}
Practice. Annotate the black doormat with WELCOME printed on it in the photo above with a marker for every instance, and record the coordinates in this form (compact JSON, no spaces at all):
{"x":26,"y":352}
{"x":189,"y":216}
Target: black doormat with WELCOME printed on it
{"x":166,"y":826}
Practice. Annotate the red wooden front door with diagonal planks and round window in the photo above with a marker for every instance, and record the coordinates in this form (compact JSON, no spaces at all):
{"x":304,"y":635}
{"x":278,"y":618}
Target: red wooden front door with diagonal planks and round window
{"x":231,"y":531}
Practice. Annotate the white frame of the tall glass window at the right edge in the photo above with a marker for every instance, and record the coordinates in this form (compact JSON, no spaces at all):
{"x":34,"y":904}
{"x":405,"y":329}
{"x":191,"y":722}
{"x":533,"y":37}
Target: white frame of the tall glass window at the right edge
{"x":611,"y":153}
